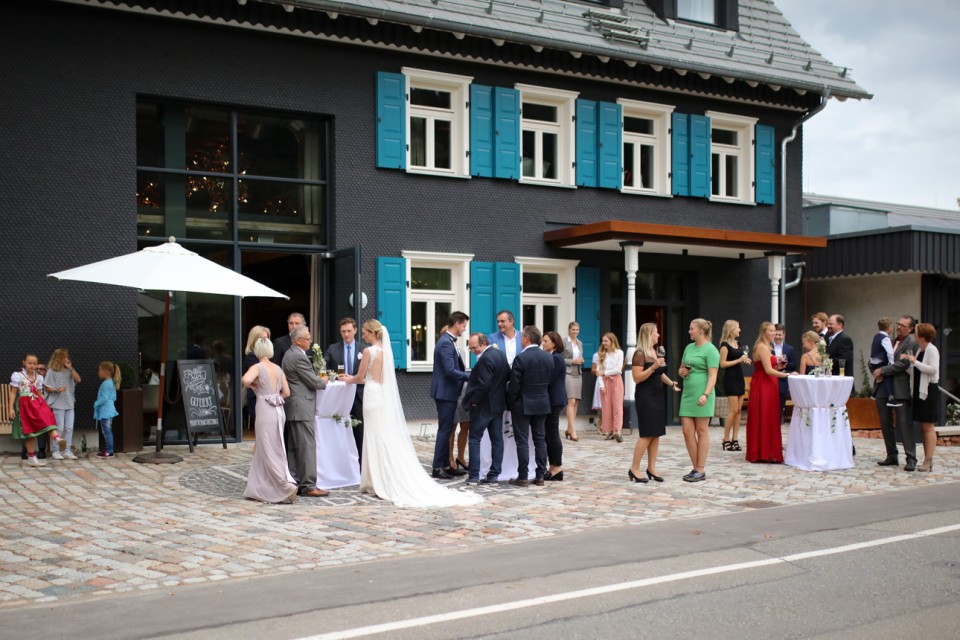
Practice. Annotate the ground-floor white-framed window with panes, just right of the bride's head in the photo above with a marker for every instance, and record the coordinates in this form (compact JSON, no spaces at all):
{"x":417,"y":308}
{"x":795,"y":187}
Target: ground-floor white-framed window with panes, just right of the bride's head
{"x":437,"y":289}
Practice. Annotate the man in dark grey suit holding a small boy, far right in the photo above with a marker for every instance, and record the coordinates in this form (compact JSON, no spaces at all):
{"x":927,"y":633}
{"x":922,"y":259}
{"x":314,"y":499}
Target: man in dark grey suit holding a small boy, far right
{"x":902,"y":394}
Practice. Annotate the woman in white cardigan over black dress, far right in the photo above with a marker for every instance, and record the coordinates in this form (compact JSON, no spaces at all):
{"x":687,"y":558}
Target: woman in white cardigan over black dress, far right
{"x":924,"y":378}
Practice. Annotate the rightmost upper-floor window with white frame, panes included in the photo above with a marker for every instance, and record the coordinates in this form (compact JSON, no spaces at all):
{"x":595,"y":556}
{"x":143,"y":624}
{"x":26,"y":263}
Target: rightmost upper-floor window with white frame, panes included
{"x":731,"y":157}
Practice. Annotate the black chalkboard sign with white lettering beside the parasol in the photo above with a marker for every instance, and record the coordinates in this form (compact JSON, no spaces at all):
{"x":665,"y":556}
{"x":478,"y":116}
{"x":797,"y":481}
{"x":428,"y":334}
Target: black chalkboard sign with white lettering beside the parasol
{"x":192,"y":401}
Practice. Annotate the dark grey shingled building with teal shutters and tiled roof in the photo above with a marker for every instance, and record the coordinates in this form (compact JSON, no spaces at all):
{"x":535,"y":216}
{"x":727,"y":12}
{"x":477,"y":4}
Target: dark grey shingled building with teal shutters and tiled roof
{"x":251,"y":133}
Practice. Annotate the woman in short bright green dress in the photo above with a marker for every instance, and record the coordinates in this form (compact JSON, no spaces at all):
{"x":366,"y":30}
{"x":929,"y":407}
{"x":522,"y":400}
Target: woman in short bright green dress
{"x":698,"y":368}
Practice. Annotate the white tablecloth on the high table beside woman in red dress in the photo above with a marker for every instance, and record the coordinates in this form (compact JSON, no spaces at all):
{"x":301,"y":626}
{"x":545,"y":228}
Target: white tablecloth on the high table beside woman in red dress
{"x":819,"y":437}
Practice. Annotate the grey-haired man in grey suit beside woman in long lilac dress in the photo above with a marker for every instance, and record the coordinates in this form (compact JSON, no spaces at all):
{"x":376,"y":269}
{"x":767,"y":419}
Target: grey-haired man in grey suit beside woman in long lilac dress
{"x":301,"y":406}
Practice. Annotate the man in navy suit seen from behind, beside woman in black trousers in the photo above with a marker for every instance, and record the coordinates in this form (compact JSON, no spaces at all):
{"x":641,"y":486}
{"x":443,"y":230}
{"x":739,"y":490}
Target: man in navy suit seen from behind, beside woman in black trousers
{"x":529,"y":398}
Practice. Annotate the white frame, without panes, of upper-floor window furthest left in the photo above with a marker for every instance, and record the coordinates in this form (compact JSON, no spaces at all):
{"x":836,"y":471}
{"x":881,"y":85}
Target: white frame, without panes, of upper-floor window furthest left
{"x":458,"y":114}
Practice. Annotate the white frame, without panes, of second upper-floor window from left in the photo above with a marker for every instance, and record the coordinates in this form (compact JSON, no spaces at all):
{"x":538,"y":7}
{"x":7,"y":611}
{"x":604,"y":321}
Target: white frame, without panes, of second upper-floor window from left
{"x":565,"y":102}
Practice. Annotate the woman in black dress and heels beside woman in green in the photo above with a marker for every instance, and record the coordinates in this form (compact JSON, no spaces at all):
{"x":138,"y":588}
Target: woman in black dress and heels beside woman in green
{"x":650,"y":375}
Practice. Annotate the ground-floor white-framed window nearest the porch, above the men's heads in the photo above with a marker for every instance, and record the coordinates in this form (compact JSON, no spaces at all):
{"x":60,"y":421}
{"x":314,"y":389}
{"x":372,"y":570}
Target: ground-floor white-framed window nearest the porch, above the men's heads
{"x":546,"y":297}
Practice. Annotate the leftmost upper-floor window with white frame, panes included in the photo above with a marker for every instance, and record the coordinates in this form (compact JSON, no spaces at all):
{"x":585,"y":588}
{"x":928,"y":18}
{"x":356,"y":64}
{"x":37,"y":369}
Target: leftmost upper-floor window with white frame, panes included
{"x":438,"y":132}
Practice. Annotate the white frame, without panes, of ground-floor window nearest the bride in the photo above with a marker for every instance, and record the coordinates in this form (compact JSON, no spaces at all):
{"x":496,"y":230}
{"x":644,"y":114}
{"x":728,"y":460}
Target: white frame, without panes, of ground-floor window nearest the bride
{"x":459,"y":265}
